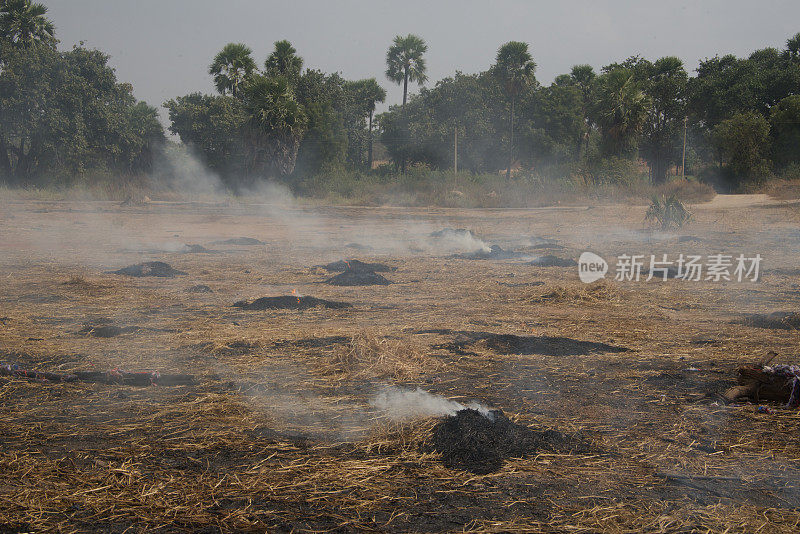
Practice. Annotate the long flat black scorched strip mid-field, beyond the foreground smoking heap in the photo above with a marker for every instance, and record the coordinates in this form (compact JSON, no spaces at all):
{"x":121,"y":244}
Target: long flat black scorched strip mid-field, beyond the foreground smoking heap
{"x":525,"y":345}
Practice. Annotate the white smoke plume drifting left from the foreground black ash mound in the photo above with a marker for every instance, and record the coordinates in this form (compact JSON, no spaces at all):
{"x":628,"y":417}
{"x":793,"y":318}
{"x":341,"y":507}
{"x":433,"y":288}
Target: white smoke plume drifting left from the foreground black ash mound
{"x":401,"y":404}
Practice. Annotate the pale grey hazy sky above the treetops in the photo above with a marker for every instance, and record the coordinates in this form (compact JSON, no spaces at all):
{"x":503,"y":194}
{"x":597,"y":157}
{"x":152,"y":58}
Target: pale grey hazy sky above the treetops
{"x":164,"y":47}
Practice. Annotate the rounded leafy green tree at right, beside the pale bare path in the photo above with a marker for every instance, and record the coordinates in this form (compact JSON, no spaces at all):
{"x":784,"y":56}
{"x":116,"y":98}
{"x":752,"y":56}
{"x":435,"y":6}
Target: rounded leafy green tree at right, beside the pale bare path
{"x":743,"y":142}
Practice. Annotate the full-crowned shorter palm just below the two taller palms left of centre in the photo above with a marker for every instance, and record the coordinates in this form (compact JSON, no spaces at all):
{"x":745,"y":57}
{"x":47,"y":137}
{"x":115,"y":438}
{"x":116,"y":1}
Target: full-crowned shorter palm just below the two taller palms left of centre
{"x":276,"y":123}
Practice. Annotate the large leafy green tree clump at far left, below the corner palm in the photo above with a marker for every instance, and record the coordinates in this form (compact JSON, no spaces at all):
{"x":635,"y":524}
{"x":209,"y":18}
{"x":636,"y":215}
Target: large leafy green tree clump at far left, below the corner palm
{"x":64,"y":114}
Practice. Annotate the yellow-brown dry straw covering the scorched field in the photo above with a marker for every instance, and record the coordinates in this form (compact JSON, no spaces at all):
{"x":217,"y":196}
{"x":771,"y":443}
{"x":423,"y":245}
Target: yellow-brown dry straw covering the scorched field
{"x":277,"y":435}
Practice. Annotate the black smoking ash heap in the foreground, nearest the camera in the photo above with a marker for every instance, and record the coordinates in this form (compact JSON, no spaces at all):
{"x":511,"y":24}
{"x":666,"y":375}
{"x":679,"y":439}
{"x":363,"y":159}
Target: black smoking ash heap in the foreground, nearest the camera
{"x":480,"y":444}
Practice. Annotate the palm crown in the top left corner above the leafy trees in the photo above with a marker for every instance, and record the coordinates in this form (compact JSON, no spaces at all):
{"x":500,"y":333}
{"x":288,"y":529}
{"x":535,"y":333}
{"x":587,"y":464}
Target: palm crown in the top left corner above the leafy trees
{"x":24,"y":24}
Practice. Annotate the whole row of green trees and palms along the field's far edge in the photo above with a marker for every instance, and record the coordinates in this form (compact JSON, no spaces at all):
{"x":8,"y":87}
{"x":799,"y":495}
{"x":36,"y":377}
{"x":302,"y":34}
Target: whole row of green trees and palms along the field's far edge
{"x":66,"y":117}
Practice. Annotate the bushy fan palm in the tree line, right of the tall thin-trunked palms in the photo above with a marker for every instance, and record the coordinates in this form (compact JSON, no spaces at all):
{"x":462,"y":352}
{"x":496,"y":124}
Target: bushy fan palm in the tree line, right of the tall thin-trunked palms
{"x":620,"y":110}
